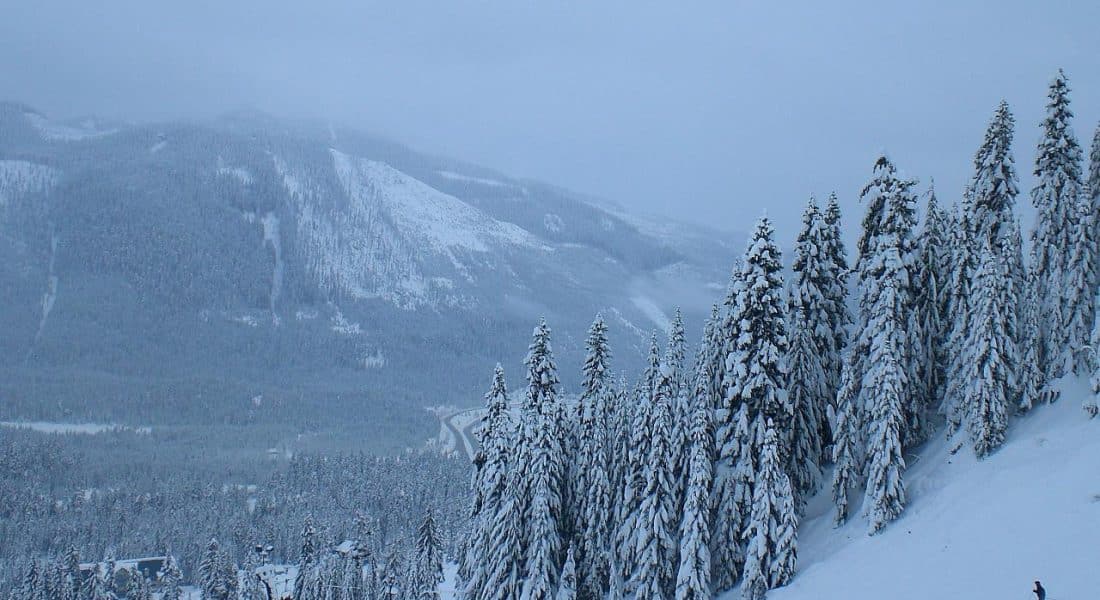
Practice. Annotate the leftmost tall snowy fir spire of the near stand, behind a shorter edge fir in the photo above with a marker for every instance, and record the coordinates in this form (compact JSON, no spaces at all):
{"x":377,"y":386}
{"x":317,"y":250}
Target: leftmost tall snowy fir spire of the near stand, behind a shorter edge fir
{"x":545,"y":471}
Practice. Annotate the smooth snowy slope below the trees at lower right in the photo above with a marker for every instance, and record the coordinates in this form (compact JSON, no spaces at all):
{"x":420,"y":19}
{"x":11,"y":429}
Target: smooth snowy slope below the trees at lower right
{"x":975,"y":530}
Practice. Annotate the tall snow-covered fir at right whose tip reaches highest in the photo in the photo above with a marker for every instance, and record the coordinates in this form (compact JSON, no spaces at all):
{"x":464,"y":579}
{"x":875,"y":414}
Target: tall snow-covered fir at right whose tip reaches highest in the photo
{"x":1055,"y":197}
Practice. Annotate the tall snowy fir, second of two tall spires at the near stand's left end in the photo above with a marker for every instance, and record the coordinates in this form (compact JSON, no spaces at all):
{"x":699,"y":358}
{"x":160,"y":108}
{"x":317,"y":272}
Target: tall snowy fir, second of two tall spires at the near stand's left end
{"x":597,"y":402}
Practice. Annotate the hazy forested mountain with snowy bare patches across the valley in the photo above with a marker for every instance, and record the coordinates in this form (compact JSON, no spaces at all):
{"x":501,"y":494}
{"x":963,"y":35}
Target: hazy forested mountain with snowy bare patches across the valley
{"x":214,"y":263}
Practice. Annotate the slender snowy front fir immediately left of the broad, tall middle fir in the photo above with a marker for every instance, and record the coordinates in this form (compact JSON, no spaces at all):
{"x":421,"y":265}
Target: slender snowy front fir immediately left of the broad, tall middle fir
{"x":694,"y":576}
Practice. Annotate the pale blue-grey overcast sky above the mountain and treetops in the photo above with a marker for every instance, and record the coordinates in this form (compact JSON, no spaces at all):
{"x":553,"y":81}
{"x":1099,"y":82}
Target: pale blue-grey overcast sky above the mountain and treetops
{"x":712,"y":112}
